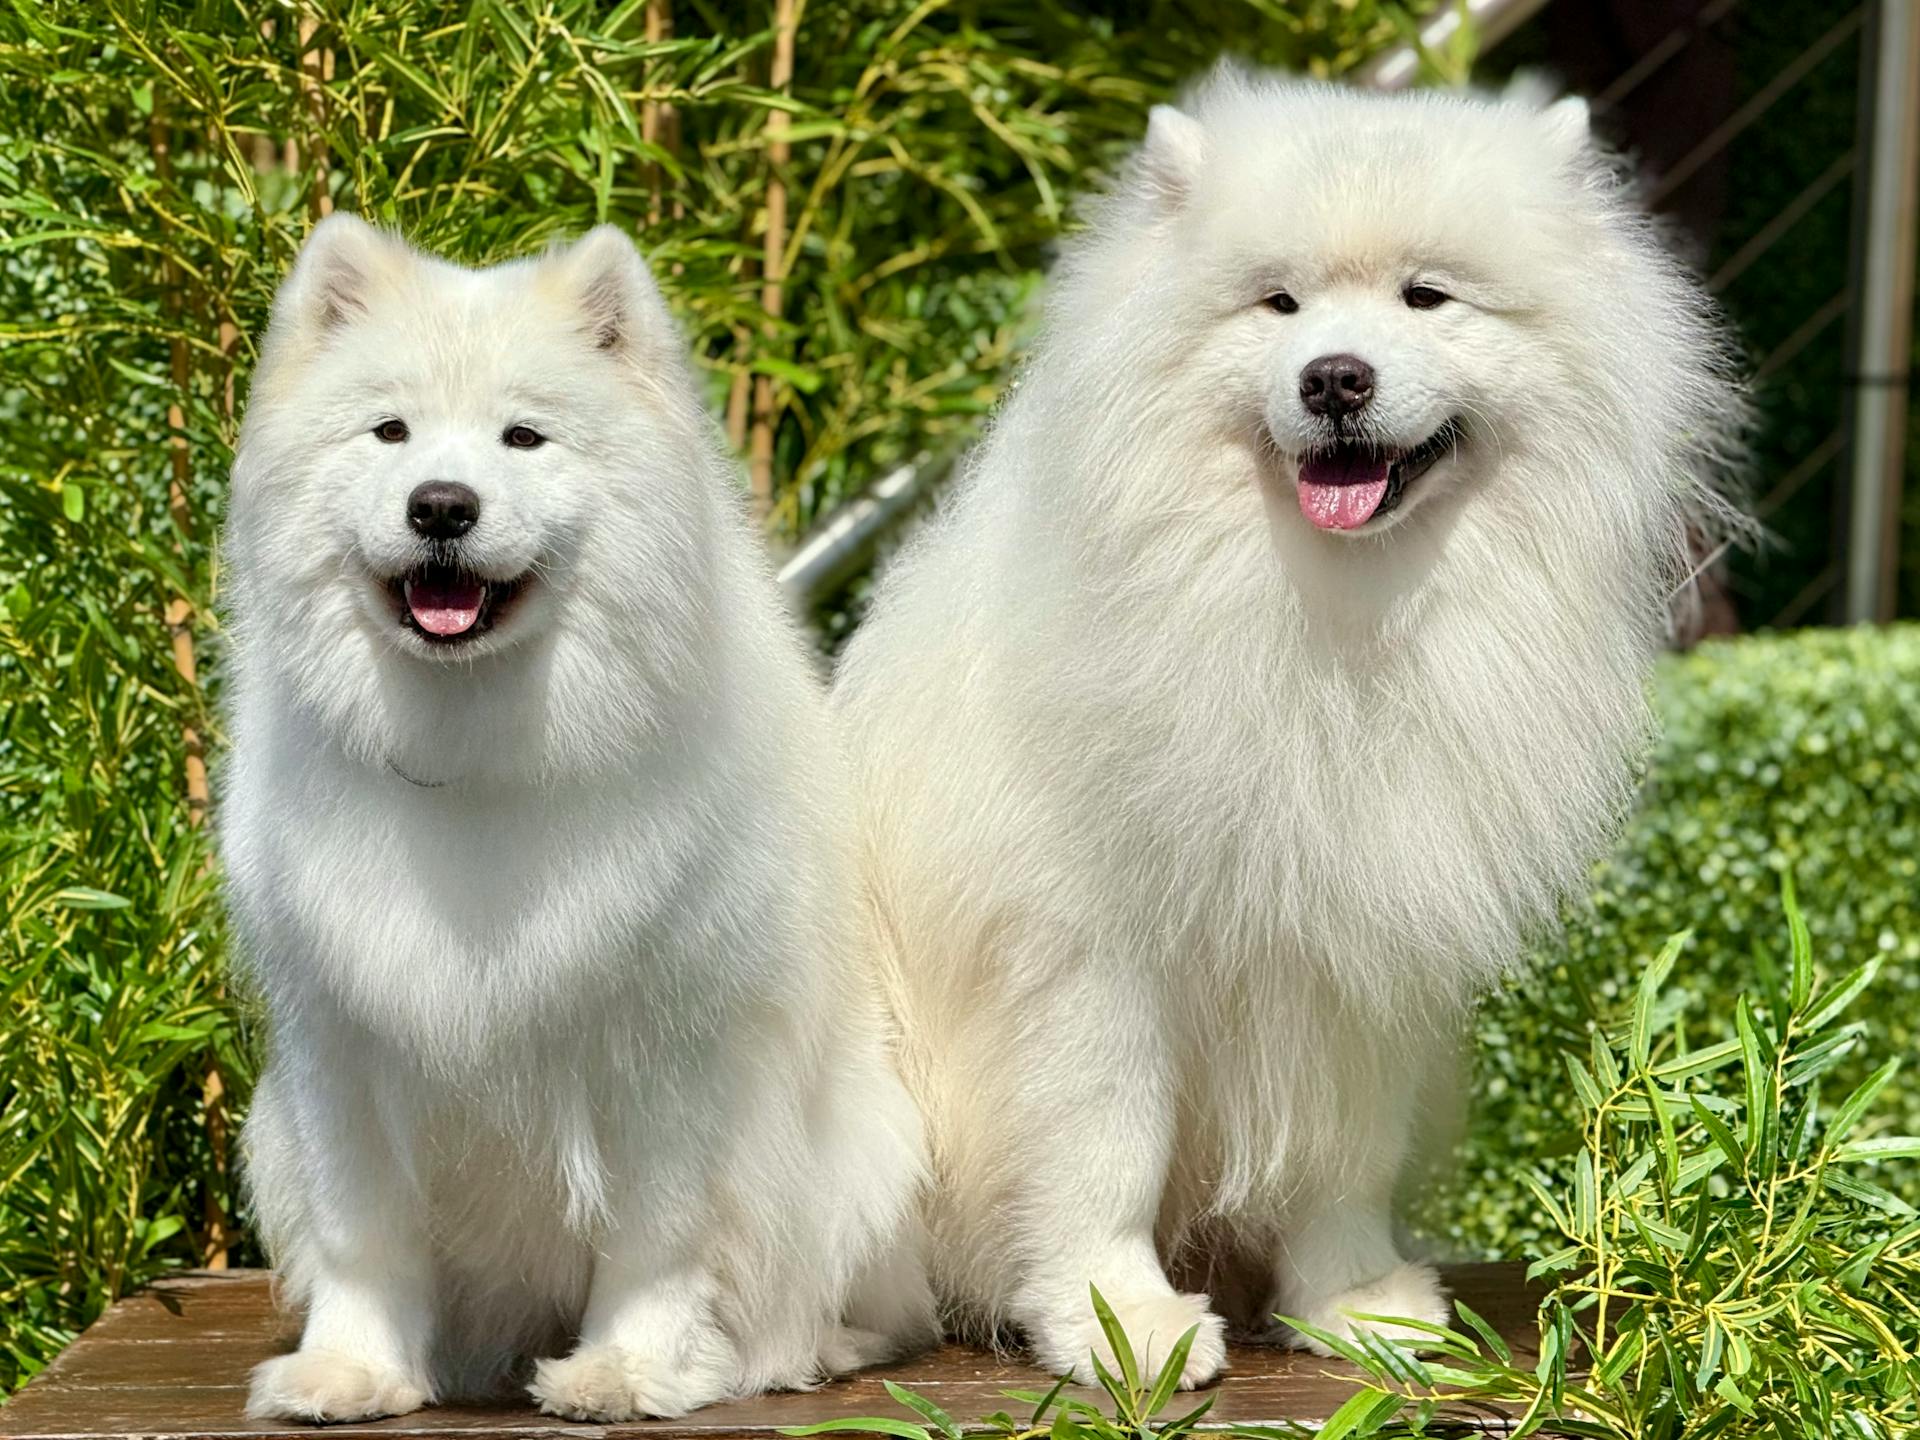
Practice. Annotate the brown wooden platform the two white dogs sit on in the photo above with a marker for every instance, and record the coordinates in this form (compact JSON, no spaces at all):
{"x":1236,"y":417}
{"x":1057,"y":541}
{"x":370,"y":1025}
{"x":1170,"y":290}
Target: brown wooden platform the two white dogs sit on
{"x":174,"y":1362}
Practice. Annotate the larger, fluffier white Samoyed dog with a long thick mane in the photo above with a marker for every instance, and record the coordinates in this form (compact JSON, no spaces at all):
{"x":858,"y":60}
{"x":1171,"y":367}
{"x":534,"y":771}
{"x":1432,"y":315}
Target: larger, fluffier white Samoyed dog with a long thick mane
{"x":1274,"y":675}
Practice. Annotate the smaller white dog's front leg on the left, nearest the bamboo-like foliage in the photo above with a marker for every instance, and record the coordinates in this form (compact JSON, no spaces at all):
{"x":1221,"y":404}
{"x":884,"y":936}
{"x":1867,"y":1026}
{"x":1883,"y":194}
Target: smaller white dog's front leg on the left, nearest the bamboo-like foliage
{"x":333,"y":1172}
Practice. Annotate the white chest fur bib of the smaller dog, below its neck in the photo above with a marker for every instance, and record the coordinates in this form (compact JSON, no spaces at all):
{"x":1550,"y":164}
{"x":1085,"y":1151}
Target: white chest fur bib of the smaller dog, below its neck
{"x":450,"y":919}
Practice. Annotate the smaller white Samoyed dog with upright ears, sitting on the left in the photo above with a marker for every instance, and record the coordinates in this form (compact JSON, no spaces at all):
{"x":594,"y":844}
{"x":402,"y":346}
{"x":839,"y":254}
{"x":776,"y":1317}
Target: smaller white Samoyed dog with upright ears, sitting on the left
{"x":540,"y":852}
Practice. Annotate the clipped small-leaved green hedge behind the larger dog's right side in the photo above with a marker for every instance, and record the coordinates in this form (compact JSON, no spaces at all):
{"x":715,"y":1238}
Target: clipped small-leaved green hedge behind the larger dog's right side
{"x":1781,"y":756}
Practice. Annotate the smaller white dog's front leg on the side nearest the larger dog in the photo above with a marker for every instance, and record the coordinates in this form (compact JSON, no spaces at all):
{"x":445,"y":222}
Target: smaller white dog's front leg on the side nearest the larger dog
{"x":650,"y":1341}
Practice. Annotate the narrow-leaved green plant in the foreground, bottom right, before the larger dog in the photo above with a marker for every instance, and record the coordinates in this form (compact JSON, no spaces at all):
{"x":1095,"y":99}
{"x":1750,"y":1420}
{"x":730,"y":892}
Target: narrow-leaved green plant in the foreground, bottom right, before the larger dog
{"x":1723,"y":1260}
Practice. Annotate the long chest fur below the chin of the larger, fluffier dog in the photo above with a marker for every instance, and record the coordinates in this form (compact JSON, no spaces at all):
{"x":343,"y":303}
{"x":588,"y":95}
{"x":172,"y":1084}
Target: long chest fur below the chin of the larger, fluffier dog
{"x":1385,"y":792}
